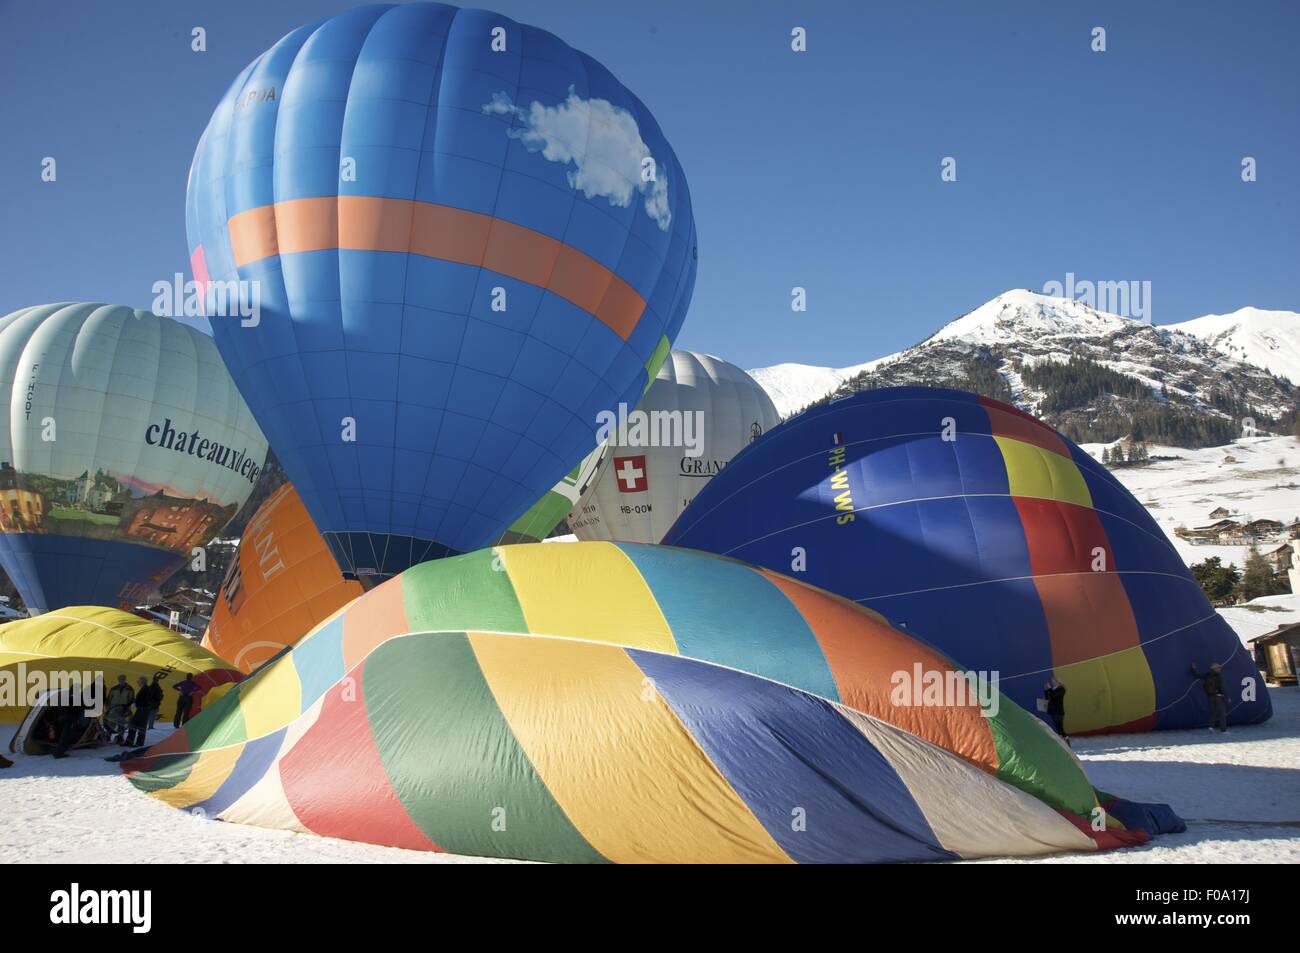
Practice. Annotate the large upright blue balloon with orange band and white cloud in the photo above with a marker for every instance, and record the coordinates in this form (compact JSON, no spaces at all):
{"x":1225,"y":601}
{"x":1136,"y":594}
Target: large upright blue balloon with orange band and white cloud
{"x":466,"y":239}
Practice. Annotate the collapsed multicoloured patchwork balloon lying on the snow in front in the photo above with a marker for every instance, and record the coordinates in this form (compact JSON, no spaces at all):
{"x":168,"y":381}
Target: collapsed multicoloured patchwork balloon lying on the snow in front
{"x":586,"y":703}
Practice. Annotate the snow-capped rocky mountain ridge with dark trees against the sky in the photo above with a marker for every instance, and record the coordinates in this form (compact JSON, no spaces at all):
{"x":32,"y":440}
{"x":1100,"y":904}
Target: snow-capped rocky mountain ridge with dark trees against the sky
{"x":1094,"y":375}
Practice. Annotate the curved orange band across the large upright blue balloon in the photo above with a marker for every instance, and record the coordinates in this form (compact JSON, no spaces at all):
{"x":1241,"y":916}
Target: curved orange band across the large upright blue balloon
{"x":365,"y":223}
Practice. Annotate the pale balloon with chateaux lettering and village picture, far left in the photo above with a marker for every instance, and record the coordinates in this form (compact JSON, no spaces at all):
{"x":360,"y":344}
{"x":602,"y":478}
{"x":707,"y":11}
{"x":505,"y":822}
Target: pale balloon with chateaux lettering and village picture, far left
{"x":124,"y":448}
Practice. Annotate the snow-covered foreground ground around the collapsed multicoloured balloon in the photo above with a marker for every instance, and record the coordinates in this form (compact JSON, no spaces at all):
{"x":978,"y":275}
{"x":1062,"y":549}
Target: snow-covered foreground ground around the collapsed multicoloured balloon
{"x":1240,"y":794}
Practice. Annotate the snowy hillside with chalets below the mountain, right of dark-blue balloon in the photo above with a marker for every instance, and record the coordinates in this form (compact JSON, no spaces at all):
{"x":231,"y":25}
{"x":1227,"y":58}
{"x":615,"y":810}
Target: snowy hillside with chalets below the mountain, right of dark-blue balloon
{"x":1262,"y":483}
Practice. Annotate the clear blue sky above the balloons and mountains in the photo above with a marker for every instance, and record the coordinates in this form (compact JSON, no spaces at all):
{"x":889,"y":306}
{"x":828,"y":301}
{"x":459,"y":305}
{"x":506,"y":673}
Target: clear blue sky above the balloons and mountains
{"x":820,"y":170}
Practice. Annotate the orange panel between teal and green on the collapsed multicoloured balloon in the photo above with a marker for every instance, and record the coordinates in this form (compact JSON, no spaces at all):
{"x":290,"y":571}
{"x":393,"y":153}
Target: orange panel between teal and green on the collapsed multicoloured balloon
{"x":865,"y":652}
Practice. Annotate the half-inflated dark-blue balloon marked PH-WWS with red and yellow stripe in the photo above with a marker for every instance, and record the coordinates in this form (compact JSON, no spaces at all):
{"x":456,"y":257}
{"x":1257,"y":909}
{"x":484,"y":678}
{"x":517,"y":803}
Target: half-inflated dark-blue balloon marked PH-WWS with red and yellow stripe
{"x":991,"y":536}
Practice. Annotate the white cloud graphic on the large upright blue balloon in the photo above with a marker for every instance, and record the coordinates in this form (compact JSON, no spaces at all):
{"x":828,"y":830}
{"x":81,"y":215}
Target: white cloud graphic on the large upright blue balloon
{"x":600,"y":140}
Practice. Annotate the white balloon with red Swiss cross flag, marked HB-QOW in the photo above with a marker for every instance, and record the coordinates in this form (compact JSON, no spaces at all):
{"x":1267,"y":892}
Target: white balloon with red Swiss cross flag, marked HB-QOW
{"x":697,"y":415}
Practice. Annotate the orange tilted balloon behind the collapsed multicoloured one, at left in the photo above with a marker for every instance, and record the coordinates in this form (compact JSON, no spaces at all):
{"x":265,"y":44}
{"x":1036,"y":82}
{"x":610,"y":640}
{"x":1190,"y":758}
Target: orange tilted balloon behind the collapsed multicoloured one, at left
{"x":284,"y":582}
